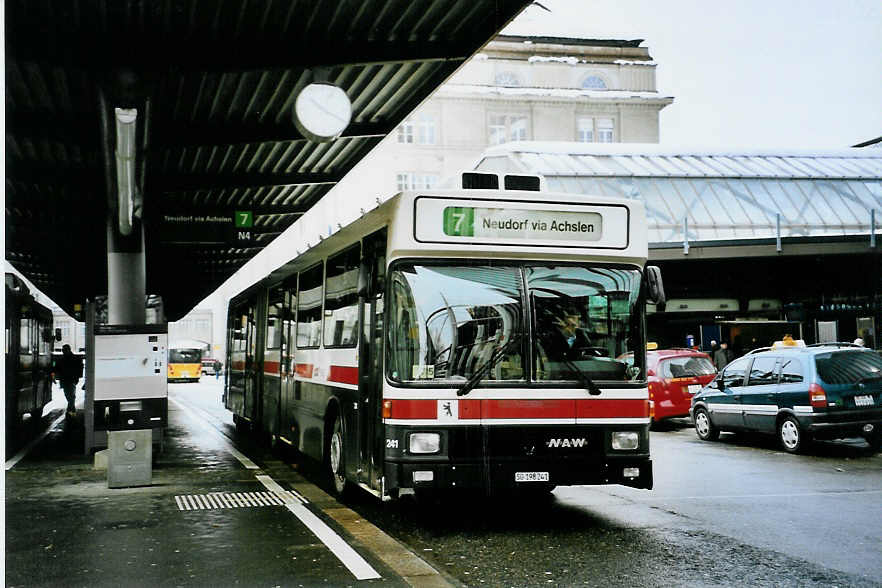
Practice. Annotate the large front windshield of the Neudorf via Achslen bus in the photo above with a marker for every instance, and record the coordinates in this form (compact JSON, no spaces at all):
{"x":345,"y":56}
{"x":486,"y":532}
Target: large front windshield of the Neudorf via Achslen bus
{"x":446,"y":322}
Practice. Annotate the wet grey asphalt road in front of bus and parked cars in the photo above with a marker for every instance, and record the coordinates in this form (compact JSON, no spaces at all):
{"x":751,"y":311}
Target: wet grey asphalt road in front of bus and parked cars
{"x":737,"y":512}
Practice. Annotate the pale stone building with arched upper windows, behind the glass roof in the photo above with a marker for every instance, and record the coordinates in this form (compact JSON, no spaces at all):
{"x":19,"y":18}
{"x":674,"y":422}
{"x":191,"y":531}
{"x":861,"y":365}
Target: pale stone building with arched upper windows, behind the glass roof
{"x":523,"y":88}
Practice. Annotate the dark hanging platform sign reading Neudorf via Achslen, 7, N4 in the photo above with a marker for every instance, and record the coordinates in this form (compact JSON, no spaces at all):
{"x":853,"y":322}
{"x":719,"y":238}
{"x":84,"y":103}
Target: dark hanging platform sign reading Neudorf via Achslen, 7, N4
{"x":222,"y":229}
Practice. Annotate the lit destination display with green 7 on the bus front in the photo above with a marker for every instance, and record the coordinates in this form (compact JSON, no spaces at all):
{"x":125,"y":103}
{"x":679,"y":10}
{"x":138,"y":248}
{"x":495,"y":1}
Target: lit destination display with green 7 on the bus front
{"x":502,"y":223}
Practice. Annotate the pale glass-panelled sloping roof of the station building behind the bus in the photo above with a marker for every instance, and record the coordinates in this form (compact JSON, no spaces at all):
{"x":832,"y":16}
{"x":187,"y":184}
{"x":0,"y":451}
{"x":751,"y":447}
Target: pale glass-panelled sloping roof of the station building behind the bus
{"x":713,"y":195}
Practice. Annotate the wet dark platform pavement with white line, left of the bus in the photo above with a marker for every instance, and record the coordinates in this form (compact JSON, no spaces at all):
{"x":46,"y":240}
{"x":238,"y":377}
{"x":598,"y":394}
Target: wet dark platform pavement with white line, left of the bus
{"x":64,"y":527}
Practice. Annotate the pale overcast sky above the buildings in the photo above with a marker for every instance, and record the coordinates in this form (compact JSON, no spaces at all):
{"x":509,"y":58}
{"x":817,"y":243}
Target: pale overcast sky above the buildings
{"x":745,"y":73}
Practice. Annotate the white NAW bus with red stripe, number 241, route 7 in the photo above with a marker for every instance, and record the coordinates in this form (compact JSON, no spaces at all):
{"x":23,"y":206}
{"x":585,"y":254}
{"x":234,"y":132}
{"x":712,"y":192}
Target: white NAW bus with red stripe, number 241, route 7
{"x":457,"y":339}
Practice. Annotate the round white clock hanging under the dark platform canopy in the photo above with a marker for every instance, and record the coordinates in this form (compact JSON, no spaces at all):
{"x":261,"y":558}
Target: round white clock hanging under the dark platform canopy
{"x":322,"y":112}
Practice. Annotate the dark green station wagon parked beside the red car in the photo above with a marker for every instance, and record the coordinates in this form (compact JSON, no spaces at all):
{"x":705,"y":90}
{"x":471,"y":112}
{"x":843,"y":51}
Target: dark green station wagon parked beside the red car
{"x":796,"y":393}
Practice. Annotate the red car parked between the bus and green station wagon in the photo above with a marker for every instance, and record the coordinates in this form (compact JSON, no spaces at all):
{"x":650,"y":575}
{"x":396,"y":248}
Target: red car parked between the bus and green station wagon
{"x":674,"y":376}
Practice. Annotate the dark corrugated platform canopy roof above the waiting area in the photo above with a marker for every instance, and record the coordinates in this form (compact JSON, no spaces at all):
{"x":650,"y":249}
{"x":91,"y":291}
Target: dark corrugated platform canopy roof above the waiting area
{"x":214,"y":83}
